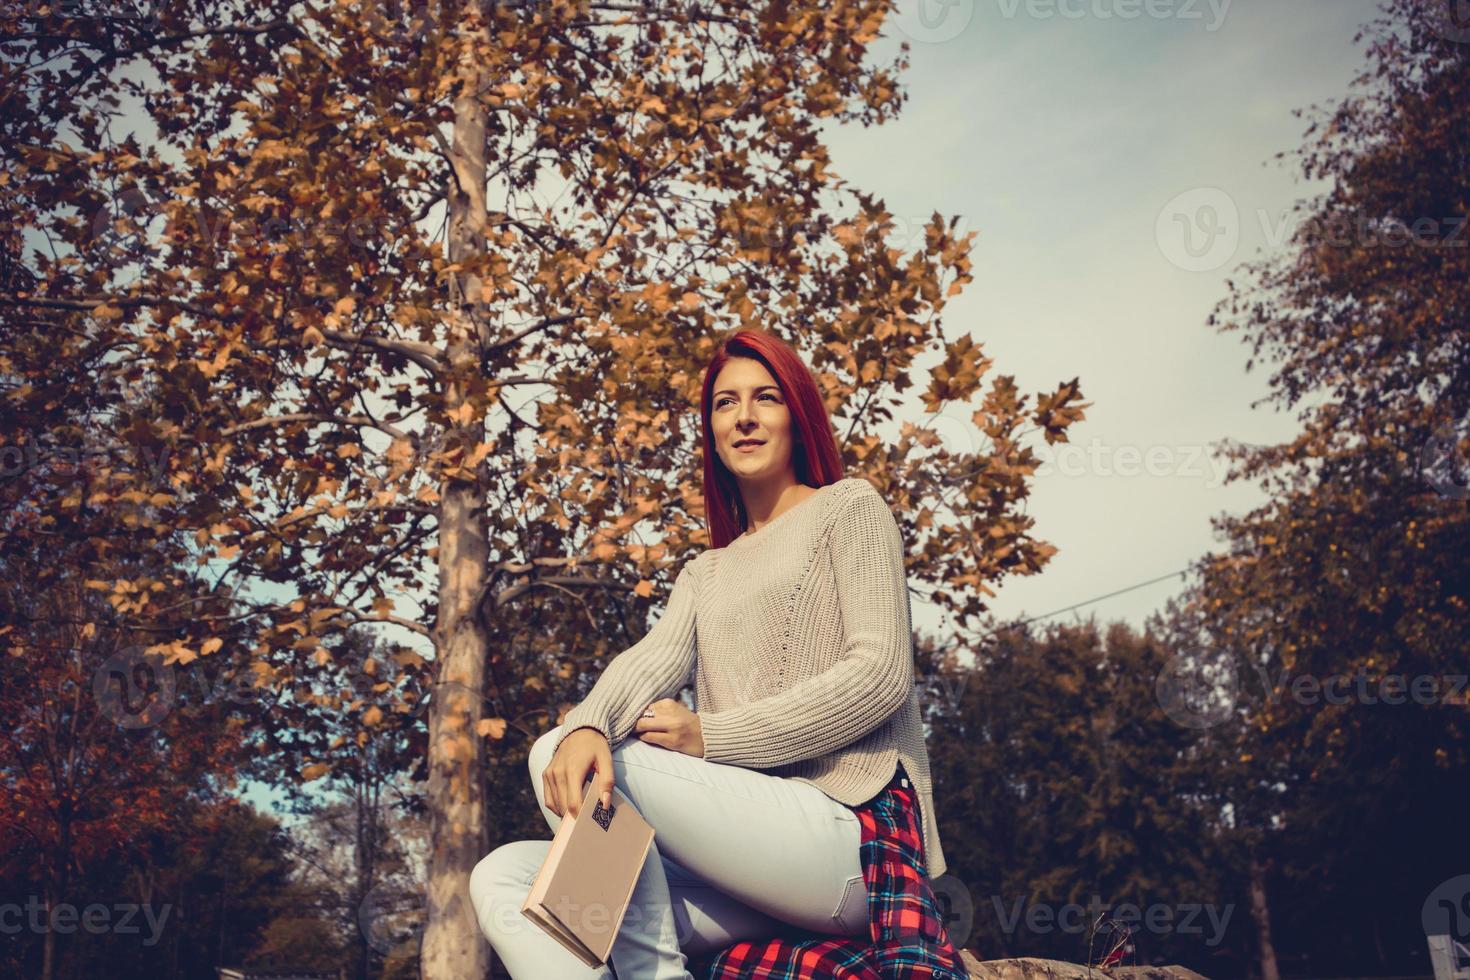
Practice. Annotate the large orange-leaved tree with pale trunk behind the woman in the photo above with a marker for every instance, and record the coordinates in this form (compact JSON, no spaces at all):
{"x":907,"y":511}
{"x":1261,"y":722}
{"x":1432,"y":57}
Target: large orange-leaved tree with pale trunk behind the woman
{"x":358,"y":233}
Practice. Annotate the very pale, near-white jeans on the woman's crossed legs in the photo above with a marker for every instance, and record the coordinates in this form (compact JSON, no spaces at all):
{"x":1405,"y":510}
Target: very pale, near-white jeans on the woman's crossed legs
{"x":737,"y":854}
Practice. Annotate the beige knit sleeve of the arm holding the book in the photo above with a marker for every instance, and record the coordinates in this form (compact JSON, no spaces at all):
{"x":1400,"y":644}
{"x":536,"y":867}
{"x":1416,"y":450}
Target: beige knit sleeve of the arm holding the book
{"x":658,"y":666}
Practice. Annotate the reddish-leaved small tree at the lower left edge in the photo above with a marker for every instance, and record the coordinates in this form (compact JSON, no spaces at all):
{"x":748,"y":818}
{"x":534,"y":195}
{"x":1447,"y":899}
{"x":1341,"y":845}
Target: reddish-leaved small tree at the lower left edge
{"x":90,"y":760}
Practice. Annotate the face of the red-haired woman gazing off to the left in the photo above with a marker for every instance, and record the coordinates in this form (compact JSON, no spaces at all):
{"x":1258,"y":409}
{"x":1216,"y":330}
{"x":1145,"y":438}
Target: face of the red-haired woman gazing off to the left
{"x":747,"y":406}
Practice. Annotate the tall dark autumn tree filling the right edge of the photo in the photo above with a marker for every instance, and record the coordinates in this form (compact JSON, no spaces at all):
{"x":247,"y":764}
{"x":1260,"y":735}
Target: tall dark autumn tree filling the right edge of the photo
{"x":1353,"y":575}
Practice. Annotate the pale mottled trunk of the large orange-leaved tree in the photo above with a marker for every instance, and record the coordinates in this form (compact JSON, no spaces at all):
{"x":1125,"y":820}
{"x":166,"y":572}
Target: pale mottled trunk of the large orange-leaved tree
{"x":453,"y":947}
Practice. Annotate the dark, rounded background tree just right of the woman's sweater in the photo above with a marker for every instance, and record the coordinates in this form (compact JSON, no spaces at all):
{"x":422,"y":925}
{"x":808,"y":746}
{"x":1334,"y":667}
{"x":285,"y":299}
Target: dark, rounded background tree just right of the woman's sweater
{"x":1066,"y":787}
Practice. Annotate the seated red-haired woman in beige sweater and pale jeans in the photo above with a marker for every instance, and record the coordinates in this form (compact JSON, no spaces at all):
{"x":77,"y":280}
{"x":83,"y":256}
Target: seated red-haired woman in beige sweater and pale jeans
{"x":795,"y":631}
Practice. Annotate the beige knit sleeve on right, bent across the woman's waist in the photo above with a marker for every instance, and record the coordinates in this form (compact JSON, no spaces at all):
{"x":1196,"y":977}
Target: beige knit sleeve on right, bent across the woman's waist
{"x":871,"y":680}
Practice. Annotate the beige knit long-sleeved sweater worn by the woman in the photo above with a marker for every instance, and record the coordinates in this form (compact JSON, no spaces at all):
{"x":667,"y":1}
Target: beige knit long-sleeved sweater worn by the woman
{"x":799,"y":647}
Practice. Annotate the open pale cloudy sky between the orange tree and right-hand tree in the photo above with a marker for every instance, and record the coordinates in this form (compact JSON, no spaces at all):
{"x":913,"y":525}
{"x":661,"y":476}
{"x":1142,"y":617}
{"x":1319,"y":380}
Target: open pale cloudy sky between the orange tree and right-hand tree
{"x":1118,"y":170}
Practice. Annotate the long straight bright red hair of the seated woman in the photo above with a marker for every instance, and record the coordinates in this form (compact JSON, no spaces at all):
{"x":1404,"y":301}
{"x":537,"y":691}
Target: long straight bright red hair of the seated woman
{"x":814,"y":456}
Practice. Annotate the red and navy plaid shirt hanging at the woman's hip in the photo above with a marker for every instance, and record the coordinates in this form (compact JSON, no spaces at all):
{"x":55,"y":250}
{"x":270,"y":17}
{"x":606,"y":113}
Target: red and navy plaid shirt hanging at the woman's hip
{"x":906,"y":932}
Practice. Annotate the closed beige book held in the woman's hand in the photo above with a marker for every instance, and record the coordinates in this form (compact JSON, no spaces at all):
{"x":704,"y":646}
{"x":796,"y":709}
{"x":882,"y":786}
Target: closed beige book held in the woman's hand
{"x":587,"y":879}
